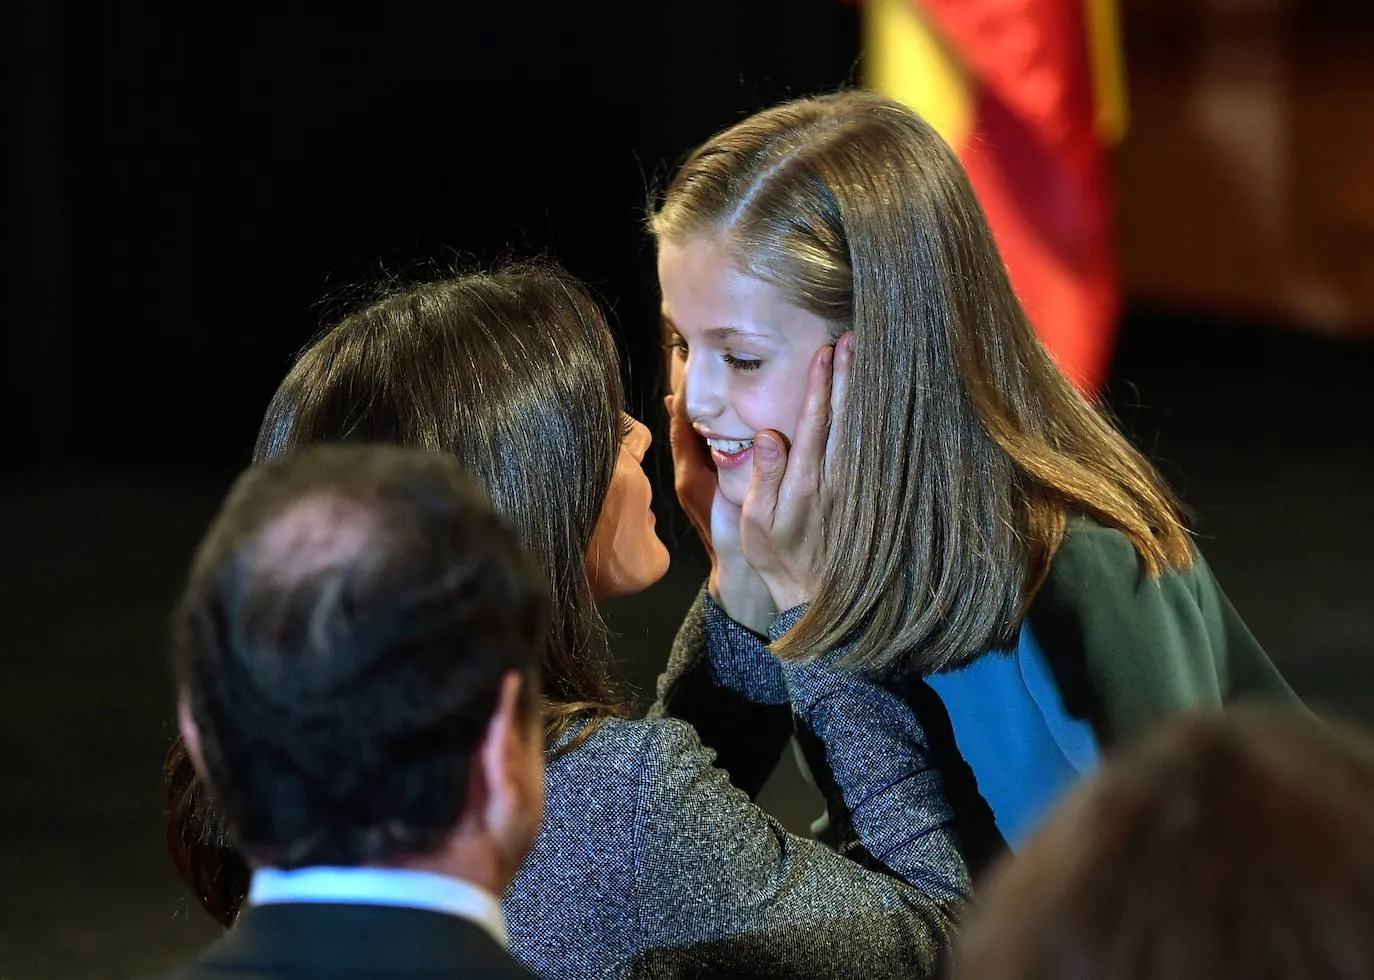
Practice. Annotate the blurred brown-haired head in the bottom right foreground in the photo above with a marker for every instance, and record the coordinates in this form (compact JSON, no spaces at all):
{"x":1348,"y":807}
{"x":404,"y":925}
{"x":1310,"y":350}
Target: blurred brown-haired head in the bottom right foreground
{"x":1233,"y":846}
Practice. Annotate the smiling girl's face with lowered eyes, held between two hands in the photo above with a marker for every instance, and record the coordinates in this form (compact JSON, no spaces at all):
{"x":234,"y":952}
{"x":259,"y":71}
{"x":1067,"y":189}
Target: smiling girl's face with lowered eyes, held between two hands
{"x":741,"y":354}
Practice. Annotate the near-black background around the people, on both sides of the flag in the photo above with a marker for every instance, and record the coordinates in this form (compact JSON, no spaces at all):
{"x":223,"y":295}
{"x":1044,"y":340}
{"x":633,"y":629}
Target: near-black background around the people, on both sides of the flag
{"x":186,"y":188}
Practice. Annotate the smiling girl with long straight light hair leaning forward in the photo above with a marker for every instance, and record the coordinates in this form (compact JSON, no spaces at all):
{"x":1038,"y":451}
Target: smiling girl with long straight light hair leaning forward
{"x":990,"y":545}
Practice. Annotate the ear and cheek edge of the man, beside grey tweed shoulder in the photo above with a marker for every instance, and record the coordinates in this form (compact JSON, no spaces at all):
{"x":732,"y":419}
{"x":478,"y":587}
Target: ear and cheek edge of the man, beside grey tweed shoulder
{"x":512,"y":764}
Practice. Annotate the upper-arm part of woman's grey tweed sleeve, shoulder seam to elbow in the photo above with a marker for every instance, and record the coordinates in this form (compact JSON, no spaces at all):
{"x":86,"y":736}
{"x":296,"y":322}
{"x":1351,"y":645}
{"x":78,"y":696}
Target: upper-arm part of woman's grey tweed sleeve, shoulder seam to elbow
{"x":722,"y":890}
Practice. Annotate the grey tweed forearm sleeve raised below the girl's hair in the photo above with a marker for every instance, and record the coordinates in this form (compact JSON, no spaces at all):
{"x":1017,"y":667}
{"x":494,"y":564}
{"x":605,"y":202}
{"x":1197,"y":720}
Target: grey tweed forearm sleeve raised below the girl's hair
{"x":872,"y":761}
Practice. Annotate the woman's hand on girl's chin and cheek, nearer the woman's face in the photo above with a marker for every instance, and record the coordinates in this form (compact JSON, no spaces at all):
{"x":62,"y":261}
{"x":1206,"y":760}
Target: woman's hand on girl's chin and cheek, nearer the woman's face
{"x":733,"y":583}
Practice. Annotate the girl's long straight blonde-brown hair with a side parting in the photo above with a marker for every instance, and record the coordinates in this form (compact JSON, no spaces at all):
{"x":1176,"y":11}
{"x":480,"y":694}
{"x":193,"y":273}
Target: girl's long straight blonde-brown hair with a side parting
{"x":965,"y":449}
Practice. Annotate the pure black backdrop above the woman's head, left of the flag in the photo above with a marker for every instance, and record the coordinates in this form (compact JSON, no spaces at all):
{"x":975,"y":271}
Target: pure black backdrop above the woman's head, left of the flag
{"x":185,"y":186}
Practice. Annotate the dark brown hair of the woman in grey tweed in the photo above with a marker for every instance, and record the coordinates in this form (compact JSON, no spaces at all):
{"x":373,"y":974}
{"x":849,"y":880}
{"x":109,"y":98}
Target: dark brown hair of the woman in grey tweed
{"x":516,"y":373}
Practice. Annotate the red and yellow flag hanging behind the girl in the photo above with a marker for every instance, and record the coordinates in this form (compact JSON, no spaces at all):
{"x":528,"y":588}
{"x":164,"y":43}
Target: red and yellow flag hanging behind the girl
{"x":1030,"y":94}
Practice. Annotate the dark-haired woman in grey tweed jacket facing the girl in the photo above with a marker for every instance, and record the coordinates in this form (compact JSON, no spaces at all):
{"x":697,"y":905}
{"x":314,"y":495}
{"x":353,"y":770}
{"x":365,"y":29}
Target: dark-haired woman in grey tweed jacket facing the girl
{"x":649,"y":862}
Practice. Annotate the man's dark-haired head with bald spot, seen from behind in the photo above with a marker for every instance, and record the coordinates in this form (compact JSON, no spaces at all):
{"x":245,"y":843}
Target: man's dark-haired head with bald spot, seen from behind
{"x":358,"y":658}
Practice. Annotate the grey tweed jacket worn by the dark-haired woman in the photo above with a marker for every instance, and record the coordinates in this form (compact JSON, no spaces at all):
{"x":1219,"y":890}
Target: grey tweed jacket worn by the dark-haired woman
{"x":651,"y":864}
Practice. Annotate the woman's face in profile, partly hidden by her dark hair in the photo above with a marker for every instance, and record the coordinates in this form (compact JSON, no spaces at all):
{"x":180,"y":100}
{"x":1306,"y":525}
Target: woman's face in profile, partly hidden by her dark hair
{"x":626,"y":555}
